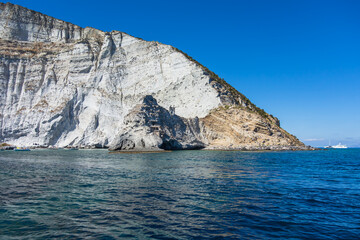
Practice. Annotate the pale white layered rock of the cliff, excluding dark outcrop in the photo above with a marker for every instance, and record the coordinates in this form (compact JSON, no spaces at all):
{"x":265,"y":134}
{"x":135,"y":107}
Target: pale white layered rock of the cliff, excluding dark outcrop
{"x":64,"y":85}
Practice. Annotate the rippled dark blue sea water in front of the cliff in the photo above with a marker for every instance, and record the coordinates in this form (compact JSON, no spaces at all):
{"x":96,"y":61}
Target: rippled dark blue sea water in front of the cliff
{"x":91,"y":194}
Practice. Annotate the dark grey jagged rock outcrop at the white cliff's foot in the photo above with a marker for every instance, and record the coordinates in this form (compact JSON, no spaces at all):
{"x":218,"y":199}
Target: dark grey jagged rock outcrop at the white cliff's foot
{"x":150,"y":126}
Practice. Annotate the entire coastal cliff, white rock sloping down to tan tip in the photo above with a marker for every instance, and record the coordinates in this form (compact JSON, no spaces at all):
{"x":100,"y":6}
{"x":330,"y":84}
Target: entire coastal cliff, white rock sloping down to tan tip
{"x":63,"y":85}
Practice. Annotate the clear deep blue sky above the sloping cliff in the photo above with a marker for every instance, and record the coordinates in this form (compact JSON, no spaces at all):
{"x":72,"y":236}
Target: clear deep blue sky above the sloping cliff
{"x":297,"y":59}
